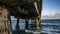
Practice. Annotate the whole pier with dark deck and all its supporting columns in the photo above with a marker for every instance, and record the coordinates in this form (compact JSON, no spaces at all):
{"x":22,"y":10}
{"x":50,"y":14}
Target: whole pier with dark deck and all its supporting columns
{"x":20,"y":9}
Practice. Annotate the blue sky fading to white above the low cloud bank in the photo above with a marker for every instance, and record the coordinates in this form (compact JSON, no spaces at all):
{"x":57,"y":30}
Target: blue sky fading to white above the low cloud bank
{"x":51,"y":7}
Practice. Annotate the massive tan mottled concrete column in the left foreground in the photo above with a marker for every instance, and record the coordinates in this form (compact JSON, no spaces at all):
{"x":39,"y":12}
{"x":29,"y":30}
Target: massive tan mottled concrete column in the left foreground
{"x":5,"y":27}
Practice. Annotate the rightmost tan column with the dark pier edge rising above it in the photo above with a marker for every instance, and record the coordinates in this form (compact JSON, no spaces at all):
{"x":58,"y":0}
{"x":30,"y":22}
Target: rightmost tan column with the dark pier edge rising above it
{"x":38,"y":19}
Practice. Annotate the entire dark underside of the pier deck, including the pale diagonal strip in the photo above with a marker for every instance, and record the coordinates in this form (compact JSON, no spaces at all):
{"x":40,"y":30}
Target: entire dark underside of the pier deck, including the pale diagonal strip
{"x":23,"y":8}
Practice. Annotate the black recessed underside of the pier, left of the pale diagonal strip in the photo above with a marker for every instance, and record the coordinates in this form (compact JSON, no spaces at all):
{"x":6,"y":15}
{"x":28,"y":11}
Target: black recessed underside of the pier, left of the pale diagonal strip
{"x":24,"y":11}
